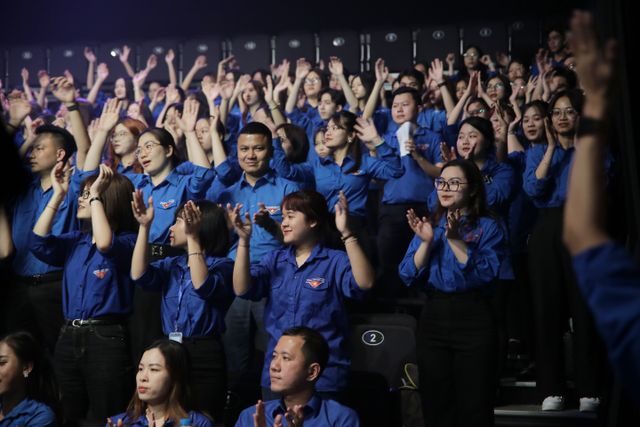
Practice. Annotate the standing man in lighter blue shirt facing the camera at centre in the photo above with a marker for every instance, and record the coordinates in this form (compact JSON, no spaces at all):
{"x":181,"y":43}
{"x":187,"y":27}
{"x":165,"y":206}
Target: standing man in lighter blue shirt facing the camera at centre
{"x":259,"y":194}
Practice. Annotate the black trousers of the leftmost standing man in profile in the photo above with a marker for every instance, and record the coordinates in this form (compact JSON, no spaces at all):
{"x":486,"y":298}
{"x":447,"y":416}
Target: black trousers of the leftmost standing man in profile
{"x":36,"y":308}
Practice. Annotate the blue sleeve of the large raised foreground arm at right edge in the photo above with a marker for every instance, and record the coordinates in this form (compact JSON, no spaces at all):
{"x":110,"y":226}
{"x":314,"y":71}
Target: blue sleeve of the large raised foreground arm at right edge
{"x":610,"y":283}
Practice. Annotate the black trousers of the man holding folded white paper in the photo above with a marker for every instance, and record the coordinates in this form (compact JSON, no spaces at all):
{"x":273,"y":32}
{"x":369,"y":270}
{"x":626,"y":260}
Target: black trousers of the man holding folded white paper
{"x":393,"y":238}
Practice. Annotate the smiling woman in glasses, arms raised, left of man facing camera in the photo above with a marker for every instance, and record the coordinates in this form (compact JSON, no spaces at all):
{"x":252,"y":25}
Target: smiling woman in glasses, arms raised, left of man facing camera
{"x":168,"y":187}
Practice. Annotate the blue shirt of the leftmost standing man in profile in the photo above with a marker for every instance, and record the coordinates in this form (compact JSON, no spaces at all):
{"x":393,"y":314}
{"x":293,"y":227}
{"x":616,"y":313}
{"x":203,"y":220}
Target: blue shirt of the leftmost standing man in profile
{"x":26,"y":211}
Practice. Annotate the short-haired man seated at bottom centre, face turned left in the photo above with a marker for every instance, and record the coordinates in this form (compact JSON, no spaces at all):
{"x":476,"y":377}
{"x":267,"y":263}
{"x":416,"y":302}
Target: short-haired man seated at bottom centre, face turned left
{"x":298,"y":360}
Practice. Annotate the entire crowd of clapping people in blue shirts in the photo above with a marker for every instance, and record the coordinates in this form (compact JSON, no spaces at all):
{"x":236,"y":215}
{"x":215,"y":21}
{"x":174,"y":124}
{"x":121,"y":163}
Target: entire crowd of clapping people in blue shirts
{"x":177,"y":227}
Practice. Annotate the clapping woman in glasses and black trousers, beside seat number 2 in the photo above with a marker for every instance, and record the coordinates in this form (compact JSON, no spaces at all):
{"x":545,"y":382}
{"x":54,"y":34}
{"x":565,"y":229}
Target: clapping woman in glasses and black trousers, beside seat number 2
{"x":456,"y":256}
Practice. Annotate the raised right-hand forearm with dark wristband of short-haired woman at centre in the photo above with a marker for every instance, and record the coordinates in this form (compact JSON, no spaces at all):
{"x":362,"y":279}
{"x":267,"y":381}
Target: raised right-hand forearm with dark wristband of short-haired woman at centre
{"x":361,"y":268}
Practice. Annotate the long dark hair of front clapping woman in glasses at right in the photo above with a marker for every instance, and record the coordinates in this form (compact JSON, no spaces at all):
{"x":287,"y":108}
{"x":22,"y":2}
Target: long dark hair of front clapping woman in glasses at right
{"x":477,"y":200}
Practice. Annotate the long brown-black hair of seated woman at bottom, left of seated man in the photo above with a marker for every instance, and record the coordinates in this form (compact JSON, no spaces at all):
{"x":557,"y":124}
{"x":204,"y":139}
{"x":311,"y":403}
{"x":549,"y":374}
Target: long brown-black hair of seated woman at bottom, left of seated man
{"x":177,"y":363}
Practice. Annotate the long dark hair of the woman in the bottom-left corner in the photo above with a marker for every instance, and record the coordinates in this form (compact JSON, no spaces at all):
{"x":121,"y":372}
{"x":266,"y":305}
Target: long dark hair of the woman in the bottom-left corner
{"x":41,"y":383}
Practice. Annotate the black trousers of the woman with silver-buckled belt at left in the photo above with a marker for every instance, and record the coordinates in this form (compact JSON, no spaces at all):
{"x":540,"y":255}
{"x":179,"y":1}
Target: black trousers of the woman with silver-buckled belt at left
{"x":94,"y":372}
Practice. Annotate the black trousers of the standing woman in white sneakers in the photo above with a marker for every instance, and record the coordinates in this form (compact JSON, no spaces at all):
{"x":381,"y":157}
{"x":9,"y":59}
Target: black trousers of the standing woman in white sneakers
{"x":556,"y":297}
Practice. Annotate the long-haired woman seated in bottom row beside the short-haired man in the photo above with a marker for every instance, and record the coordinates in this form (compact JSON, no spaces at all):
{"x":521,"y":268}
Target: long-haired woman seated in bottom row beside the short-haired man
{"x":162,"y":390}
